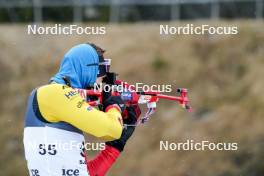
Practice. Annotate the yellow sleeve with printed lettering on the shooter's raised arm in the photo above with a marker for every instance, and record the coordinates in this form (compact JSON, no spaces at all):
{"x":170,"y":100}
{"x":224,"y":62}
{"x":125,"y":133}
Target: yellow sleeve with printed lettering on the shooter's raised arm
{"x":61,"y":103}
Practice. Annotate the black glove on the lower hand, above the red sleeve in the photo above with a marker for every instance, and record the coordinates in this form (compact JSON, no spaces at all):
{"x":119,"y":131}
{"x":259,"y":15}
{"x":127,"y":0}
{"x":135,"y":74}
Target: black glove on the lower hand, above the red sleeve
{"x":129,"y":128}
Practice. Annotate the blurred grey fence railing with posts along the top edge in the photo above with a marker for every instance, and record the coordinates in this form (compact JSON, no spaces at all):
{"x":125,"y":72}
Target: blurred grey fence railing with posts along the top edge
{"x":116,"y":5}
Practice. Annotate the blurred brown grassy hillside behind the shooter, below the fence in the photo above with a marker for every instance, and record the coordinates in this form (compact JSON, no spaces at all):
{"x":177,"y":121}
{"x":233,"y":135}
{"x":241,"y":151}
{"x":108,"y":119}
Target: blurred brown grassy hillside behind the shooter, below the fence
{"x":224,"y":75}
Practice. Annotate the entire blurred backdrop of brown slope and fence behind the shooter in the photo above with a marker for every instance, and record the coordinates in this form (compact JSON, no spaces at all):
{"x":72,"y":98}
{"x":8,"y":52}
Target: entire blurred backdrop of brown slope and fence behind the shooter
{"x":224,"y":75}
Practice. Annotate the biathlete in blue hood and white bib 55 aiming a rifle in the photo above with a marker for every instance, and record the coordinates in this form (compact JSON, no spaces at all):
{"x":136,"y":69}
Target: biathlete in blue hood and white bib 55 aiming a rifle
{"x":57,"y":116}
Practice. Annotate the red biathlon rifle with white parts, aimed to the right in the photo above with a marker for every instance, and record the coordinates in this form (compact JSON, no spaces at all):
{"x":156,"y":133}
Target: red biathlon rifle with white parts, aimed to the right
{"x":132,"y":97}
